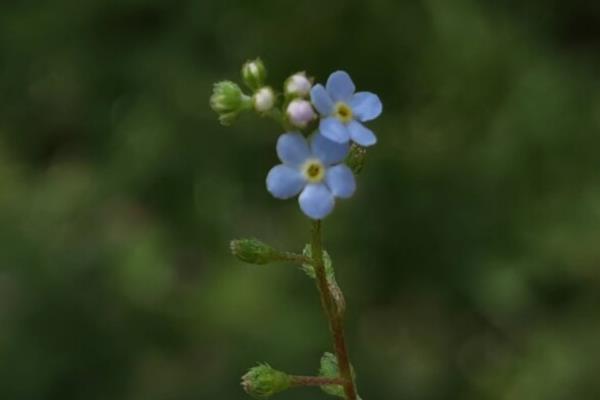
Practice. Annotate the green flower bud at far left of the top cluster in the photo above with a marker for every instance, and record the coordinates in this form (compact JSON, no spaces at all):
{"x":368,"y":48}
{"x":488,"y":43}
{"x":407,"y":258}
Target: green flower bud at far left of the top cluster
{"x":228,"y":101}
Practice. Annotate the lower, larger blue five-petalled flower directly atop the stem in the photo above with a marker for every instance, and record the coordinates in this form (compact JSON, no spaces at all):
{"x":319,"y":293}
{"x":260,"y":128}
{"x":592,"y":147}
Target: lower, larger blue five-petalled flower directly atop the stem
{"x":312,"y":169}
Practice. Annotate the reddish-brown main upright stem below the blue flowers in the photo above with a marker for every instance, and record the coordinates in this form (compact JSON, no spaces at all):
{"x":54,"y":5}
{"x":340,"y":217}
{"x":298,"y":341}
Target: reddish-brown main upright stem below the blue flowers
{"x":336,"y":323}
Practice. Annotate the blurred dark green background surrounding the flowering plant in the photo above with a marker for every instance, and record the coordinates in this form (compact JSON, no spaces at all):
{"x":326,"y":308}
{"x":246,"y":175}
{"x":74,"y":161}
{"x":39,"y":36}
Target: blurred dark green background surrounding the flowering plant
{"x":469,"y":255}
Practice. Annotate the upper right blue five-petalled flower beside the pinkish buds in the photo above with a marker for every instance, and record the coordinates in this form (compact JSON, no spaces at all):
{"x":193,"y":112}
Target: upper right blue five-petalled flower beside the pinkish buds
{"x":343,"y":110}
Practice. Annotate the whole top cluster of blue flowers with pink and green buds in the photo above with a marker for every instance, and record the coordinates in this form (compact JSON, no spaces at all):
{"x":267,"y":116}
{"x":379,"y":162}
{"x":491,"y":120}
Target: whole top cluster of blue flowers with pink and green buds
{"x":324,"y":130}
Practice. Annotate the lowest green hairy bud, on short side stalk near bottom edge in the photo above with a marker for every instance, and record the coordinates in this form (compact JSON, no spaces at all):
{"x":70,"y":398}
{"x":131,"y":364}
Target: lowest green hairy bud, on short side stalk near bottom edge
{"x":262,"y":381}
